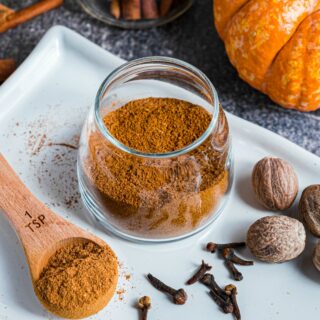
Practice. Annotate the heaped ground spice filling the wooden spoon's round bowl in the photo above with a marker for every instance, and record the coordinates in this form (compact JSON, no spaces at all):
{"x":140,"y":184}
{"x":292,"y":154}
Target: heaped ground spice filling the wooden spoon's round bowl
{"x":79,"y":280}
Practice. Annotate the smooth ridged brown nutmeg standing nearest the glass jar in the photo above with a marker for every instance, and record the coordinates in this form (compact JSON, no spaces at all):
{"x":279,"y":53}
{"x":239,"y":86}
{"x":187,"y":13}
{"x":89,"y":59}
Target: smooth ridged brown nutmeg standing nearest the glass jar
{"x":275,"y":183}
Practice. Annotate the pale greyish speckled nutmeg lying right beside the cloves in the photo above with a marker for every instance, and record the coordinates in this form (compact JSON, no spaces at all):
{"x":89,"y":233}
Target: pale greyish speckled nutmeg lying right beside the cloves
{"x":276,"y":238}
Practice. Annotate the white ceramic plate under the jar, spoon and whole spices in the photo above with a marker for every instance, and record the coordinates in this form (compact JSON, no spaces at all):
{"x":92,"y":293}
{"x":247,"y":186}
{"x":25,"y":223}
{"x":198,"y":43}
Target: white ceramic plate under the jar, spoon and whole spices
{"x":44,"y":103}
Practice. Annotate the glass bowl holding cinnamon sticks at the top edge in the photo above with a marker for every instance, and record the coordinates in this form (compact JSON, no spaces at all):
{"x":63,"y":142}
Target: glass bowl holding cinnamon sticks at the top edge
{"x":135,"y":14}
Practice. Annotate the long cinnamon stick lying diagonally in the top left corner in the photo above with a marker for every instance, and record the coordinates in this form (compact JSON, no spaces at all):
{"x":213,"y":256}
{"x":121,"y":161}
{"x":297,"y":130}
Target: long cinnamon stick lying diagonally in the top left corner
{"x":15,"y":18}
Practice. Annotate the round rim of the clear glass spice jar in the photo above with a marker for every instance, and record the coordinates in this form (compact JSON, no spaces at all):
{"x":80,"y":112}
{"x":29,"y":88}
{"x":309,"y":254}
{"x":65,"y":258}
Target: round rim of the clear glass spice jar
{"x":160,"y":60}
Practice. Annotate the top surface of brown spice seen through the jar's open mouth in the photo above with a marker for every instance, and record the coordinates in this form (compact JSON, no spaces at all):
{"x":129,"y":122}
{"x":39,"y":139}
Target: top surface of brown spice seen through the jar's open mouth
{"x":158,"y":125}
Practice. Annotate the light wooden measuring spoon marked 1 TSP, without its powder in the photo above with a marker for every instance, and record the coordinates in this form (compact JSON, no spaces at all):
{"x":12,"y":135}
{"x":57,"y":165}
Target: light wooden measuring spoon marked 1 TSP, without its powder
{"x":41,"y":231}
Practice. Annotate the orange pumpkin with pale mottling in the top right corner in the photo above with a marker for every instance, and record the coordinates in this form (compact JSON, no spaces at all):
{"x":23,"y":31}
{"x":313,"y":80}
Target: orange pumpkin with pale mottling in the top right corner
{"x":275,"y":47}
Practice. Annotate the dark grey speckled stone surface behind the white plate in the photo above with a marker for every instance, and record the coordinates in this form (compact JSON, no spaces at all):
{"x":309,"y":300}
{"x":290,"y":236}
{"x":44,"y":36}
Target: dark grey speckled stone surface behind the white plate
{"x":191,"y":38}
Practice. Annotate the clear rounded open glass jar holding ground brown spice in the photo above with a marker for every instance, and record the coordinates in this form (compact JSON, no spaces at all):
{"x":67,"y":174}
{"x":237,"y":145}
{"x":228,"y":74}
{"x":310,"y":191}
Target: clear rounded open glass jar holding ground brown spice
{"x":148,"y":196}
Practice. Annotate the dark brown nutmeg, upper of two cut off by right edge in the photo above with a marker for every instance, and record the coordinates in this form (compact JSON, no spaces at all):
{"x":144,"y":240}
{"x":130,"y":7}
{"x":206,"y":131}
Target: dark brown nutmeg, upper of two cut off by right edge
{"x":309,"y":208}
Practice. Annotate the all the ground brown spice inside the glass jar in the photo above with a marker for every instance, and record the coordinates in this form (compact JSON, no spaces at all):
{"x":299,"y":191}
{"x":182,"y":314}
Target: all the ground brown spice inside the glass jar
{"x":159,"y":196}
